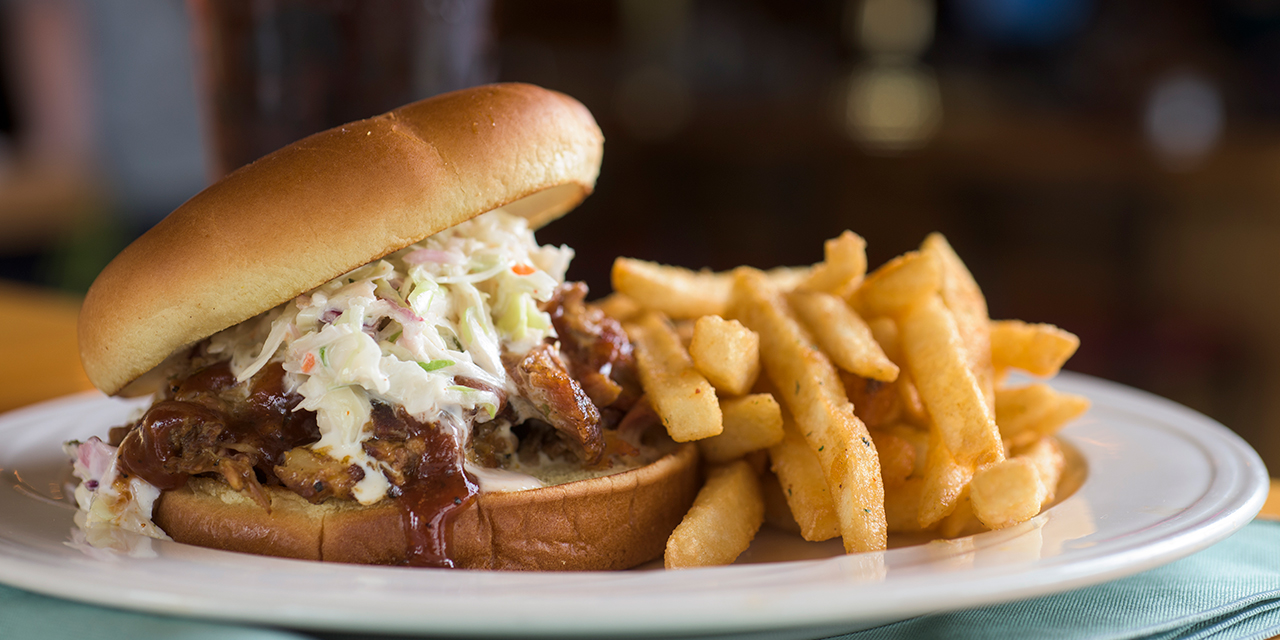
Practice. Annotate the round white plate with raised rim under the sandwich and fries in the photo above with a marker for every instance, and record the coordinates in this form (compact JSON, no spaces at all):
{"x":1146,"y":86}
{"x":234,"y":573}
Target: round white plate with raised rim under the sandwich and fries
{"x":1163,"y":482}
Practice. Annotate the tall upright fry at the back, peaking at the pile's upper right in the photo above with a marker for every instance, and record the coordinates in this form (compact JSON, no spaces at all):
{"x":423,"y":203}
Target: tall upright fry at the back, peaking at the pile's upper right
{"x":961,"y":294}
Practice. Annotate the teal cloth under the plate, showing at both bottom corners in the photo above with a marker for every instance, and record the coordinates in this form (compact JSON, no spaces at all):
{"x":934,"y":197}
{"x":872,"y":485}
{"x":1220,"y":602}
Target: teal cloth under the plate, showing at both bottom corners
{"x":1231,"y":591}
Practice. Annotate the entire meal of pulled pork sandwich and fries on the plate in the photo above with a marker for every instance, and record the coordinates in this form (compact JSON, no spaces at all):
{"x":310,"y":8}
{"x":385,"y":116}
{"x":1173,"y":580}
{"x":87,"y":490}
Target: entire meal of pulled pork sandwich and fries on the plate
{"x":360,"y":354}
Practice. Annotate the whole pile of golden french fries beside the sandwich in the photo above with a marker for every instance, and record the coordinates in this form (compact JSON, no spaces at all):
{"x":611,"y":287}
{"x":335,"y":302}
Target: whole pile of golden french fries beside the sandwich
{"x":883,"y":408}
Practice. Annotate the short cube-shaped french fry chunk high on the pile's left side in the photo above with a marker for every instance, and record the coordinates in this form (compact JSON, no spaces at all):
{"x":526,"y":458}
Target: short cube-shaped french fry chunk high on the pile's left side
{"x":728,"y":354}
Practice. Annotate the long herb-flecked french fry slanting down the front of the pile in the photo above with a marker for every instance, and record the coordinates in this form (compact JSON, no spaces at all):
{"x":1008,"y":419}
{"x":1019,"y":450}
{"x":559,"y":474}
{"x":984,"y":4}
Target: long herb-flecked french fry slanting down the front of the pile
{"x":812,"y":392}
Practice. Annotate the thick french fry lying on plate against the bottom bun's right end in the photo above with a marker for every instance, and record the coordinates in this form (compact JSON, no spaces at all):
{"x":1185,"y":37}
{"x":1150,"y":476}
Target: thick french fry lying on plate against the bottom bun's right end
{"x":723,"y":523}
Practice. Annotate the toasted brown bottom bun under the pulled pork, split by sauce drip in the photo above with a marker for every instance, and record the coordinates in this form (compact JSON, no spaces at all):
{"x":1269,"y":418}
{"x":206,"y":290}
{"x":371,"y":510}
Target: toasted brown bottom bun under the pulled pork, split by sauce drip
{"x":609,"y":523}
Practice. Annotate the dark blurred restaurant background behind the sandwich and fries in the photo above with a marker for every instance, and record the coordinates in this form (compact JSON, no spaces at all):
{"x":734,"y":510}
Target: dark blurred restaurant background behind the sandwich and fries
{"x":1110,"y":167}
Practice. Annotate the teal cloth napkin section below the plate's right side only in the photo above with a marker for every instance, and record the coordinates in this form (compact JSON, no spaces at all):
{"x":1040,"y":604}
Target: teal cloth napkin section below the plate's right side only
{"x":1231,"y":591}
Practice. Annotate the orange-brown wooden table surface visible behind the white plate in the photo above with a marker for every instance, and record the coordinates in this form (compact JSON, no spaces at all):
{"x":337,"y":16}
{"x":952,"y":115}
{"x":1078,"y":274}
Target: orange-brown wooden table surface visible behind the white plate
{"x":40,"y":359}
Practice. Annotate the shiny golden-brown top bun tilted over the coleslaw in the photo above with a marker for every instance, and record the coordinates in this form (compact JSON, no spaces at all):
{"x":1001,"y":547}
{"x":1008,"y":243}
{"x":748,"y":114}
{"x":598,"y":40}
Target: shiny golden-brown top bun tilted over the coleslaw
{"x":326,"y":205}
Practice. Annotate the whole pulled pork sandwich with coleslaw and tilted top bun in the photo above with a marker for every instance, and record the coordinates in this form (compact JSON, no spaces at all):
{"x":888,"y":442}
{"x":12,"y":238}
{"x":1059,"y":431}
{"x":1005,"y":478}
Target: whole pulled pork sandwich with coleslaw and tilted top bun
{"x":359,"y":354}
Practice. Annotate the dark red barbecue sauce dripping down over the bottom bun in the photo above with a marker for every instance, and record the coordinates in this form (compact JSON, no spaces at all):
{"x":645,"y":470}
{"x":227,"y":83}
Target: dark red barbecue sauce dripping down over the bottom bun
{"x":436,"y":487}
